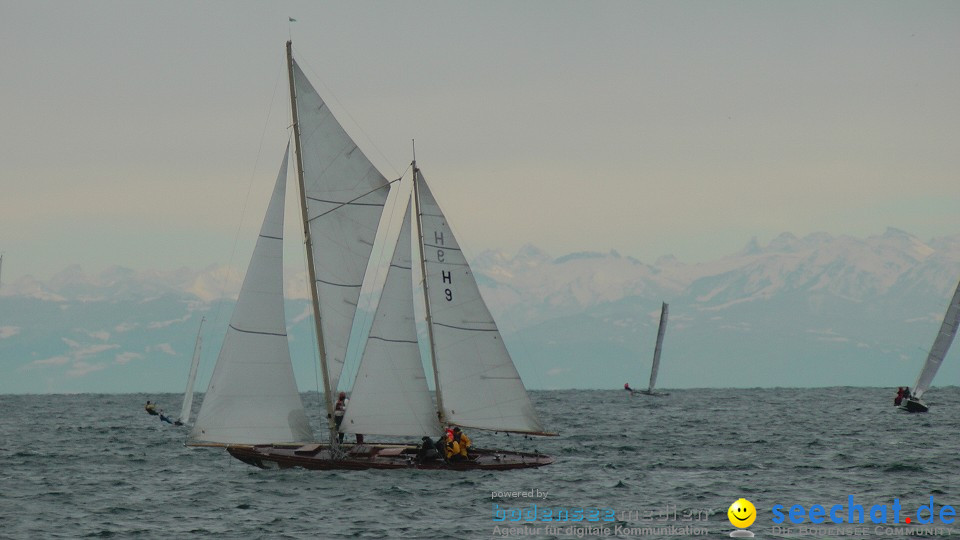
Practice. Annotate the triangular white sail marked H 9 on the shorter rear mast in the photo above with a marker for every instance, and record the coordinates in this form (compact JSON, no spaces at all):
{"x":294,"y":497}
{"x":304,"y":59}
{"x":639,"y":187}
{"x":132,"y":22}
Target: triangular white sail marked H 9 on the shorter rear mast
{"x":478,"y":382}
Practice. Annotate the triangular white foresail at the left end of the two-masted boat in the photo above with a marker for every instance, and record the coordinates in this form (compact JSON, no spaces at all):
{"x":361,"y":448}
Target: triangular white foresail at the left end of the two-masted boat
{"x":252,"y":397}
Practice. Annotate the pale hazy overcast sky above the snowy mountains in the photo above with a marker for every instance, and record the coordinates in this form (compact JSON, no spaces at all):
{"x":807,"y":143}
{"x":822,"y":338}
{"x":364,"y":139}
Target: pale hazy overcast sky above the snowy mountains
{"x":133,"y":132}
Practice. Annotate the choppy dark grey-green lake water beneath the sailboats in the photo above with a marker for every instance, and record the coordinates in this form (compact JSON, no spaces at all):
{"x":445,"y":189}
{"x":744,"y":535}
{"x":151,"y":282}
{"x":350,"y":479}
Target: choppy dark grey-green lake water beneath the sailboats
{"x":97,"y":466}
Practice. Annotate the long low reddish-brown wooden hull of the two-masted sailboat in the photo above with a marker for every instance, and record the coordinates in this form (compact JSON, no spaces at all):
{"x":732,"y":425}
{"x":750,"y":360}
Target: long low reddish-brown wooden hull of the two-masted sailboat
{"x":379,"y":456}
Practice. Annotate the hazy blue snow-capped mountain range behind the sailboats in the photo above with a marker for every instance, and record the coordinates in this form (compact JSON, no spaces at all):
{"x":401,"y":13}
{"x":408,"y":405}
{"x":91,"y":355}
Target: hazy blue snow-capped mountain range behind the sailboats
{"x":821,"y":310}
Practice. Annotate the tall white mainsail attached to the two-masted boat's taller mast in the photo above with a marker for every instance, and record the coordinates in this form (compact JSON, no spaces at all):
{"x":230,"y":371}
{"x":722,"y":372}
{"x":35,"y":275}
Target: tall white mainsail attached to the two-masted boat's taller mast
{"x":345,"y":196}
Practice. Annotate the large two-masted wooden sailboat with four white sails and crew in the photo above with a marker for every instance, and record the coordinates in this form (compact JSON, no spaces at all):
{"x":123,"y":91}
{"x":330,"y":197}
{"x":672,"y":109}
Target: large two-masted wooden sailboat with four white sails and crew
{"x":252,"y":405}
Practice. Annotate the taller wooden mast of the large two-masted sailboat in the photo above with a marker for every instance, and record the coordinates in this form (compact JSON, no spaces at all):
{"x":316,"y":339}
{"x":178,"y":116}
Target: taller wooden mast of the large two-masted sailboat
{"x":327,"y":391}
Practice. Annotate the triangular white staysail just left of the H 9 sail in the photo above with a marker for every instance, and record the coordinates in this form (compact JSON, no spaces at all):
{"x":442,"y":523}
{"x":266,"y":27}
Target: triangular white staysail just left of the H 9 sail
{"x":390,"y":395}
